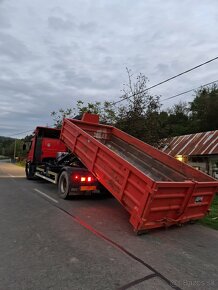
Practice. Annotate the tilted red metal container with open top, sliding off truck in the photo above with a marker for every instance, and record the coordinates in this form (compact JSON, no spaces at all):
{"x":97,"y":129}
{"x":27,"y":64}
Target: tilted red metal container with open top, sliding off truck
{"x":156,"y":189}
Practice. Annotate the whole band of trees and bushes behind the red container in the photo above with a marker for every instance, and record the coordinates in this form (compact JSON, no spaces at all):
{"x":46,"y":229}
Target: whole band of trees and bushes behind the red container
{"x":141,"y":114}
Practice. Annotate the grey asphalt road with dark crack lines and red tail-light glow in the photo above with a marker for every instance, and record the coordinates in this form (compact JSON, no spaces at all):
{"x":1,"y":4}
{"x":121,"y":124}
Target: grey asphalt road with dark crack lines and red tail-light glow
{"x":88,"y":243}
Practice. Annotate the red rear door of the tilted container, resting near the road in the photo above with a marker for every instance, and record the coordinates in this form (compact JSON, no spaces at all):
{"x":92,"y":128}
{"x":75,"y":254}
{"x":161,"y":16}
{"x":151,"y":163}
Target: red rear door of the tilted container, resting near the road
{"x":173,"y":203}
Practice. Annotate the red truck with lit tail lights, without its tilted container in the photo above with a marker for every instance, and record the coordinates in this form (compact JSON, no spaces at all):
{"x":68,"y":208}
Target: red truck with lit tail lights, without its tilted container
{"x":49,"y":158}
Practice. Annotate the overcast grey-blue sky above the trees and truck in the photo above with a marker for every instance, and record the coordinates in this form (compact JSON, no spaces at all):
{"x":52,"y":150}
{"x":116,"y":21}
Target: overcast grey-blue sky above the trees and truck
{"x":54,"y":52}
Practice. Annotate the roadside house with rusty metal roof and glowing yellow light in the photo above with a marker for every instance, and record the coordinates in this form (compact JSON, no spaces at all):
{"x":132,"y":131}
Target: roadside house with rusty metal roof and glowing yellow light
{"x":198,"y":150}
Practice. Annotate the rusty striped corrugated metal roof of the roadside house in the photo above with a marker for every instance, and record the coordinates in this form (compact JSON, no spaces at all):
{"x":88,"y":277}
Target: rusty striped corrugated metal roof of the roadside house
{"x":205,"y":143}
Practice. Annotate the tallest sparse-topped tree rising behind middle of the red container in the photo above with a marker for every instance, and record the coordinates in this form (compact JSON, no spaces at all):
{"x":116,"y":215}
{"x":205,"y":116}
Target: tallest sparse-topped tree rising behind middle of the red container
{"x":140,"y":116}
